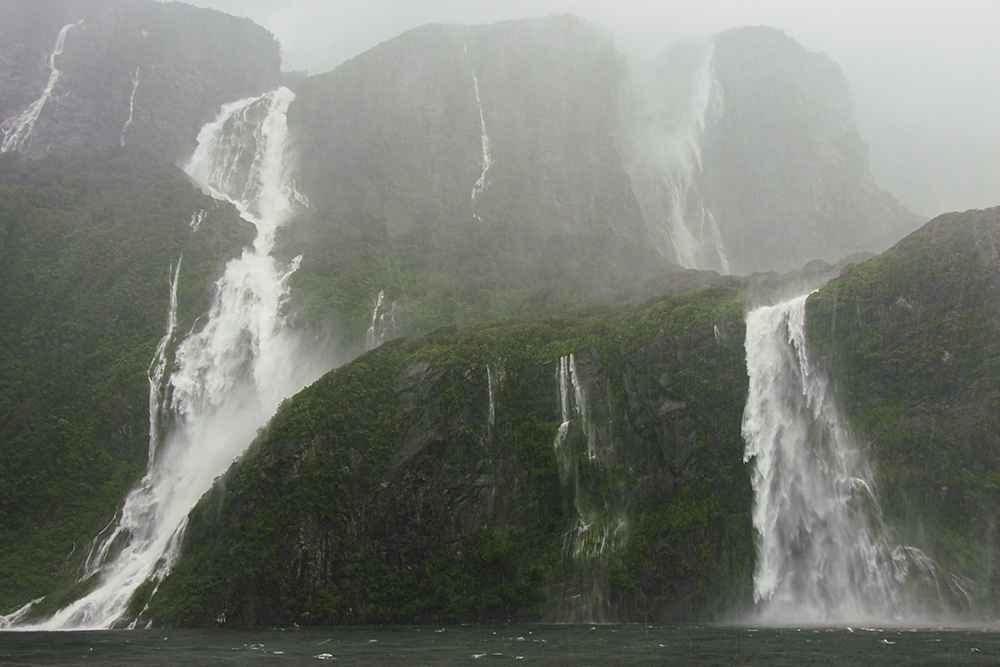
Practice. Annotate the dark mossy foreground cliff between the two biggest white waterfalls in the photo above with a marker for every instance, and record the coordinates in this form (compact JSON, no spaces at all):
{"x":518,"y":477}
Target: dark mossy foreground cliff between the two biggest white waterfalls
{"x":586,"y":468}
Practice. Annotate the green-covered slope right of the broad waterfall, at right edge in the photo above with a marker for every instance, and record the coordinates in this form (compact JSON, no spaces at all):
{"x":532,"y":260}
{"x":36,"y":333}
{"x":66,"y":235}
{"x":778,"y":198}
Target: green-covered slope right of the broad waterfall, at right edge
{"x":912,"y":339}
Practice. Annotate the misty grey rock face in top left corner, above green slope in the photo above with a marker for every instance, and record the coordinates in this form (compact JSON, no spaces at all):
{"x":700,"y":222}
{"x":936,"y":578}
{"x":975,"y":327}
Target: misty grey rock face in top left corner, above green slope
{"x":187,"y":62}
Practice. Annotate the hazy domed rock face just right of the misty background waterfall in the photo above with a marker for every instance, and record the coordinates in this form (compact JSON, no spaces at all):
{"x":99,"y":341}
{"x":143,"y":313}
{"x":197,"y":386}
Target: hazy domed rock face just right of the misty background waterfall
{"x":784,"y":169}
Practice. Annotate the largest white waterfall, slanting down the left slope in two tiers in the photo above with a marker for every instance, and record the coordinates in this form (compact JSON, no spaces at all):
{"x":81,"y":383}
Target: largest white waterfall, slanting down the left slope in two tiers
{"x":228,"y":378}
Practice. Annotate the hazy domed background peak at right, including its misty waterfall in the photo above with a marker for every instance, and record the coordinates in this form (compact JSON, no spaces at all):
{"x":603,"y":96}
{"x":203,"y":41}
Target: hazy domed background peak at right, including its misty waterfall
{"x":745,"y":156}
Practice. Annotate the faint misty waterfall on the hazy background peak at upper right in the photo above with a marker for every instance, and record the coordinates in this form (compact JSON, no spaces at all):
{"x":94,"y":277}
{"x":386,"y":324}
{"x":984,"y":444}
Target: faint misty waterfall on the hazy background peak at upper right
{"x":663,"y":158}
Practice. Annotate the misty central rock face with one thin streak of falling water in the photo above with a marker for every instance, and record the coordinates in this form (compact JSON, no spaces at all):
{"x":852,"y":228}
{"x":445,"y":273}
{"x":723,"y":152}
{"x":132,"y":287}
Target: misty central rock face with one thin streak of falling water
{"x":400,"y":130}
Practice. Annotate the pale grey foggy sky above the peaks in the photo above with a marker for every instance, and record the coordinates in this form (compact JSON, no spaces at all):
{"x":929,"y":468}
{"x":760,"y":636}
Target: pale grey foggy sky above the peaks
{"x":925,"y":73}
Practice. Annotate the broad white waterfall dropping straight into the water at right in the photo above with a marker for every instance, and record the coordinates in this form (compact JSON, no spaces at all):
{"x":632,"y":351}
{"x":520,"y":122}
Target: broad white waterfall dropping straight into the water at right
{"x":823,"y":555}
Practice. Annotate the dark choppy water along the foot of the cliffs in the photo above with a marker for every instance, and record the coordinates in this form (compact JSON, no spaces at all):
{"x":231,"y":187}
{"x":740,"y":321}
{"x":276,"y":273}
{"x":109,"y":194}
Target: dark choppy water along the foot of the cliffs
{"x":483,"y":645}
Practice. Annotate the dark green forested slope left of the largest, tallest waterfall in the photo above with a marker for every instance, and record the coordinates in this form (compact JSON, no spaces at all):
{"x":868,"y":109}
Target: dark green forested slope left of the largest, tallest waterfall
{"x":86,"y":247}
